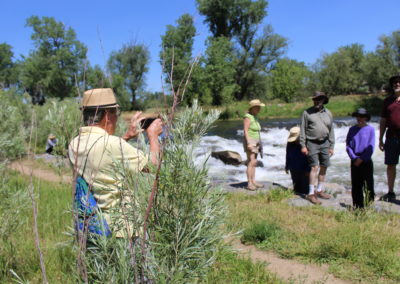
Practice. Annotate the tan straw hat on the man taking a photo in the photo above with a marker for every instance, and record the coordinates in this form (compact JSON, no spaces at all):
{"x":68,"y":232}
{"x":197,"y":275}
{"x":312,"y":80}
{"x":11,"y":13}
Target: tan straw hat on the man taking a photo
{"x":99,"y":98}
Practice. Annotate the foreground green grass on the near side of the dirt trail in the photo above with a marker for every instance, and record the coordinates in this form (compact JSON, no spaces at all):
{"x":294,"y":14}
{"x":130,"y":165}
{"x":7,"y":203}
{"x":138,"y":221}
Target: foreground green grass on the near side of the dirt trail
{"x":17,"y":244}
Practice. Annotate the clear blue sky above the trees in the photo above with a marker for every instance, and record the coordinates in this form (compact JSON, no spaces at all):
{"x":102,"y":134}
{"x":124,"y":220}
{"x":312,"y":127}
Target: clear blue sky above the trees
{"x":312,"y":27}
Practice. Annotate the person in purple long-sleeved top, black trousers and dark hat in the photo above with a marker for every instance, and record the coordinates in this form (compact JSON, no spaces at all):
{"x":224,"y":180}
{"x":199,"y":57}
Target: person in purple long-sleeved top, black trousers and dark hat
{"x":360,"y":143}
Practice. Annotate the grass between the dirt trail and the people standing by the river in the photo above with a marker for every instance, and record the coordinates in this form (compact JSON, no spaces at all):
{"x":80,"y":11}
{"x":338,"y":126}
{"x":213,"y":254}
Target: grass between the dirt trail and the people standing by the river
{"x":360,"y":247}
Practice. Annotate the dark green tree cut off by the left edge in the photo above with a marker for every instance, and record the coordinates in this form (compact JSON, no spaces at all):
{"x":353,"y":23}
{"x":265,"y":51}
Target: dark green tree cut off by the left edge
{"x":7,"y":66}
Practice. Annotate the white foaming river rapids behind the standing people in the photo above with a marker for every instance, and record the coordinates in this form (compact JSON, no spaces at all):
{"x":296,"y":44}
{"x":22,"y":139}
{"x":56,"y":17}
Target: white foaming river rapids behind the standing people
{"x":228,"y":135}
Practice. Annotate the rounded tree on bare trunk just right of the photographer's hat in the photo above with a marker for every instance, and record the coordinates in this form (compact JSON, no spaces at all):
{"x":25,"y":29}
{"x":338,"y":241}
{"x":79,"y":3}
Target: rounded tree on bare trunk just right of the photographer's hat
{"x":129,"y":66}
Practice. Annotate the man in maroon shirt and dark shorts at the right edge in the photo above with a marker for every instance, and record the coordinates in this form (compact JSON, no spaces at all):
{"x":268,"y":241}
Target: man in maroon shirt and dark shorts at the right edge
{"x":390,"y":124}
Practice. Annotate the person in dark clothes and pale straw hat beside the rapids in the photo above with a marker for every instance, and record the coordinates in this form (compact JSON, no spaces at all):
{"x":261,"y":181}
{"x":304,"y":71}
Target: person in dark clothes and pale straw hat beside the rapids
{"x":296,"y":162}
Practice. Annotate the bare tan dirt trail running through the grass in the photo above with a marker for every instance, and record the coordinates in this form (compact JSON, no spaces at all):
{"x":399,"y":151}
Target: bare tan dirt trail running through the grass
{"x":285,"y":269}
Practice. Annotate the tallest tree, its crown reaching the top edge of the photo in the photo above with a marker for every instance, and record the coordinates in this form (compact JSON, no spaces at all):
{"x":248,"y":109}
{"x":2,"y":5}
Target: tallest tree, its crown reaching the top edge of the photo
{"x":239,"y":20}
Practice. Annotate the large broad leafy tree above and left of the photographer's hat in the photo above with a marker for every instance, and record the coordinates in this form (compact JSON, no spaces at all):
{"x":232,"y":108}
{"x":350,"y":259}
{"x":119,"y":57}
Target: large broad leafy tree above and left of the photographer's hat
{"x":58,"y":58}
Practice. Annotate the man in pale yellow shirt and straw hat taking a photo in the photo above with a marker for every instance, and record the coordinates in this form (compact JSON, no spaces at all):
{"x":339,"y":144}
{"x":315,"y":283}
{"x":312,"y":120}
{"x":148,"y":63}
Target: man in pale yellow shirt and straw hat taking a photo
{"x":95,"y":152}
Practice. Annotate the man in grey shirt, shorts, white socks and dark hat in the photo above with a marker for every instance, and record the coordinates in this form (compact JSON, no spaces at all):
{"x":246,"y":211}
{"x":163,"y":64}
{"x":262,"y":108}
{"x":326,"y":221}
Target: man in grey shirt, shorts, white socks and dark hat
{"x":317,"y":140}
